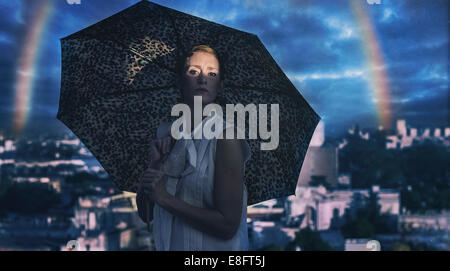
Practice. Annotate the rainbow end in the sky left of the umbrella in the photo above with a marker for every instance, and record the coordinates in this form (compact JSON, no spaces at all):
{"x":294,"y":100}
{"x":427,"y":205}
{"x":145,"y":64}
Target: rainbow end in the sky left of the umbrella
{"x":26,"y":65}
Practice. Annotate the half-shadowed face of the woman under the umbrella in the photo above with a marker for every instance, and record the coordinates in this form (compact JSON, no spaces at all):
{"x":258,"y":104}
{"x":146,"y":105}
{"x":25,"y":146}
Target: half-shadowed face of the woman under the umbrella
{"x":200,"y":78}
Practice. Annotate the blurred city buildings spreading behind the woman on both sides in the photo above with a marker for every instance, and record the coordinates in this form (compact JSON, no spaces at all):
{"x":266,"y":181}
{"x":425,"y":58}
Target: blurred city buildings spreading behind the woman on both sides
{"x":99,"y":217}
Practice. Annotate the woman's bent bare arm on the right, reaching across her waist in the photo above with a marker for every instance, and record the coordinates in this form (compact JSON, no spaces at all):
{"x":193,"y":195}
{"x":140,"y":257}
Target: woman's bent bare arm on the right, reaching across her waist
{"x":223,"y":219}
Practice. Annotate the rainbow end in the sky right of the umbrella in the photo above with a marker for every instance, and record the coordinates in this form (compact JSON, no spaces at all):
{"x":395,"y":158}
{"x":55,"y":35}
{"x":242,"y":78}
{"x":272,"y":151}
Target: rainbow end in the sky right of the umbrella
{"x":379,"y":83}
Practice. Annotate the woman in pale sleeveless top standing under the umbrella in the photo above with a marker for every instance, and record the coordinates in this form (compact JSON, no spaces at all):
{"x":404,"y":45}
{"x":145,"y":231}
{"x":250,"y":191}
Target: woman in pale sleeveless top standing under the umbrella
{"x":196,"y":194}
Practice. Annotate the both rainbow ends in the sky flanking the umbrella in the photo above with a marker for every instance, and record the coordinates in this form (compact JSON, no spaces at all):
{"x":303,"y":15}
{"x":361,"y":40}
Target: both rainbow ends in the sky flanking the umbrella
{"x":26,"y":66}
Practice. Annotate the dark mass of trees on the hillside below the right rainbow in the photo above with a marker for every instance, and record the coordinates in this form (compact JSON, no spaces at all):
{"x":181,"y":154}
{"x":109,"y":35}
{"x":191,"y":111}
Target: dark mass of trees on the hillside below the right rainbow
{"x":421,"y":172}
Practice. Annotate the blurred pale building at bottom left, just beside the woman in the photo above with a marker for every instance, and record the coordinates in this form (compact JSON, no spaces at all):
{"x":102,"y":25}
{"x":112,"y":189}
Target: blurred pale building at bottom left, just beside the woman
{"x":110,"y":223}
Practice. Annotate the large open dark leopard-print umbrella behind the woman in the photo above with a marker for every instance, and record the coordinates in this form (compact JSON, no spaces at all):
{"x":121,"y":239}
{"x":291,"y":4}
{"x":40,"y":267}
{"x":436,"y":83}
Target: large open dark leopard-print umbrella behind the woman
{"x":117,"y":85}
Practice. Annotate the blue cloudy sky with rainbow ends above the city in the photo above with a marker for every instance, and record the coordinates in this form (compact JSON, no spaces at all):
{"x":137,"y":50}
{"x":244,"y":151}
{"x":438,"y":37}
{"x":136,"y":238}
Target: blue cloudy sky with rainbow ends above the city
{"x":325,"y":47}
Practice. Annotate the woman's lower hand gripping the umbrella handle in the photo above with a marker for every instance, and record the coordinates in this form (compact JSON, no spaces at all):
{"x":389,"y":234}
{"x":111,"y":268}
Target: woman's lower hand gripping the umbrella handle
{"x":153,"y":185}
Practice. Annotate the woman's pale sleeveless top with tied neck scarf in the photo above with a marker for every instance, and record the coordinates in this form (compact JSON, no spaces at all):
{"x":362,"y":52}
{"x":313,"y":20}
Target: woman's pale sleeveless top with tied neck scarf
{"x":191,"y":168}
